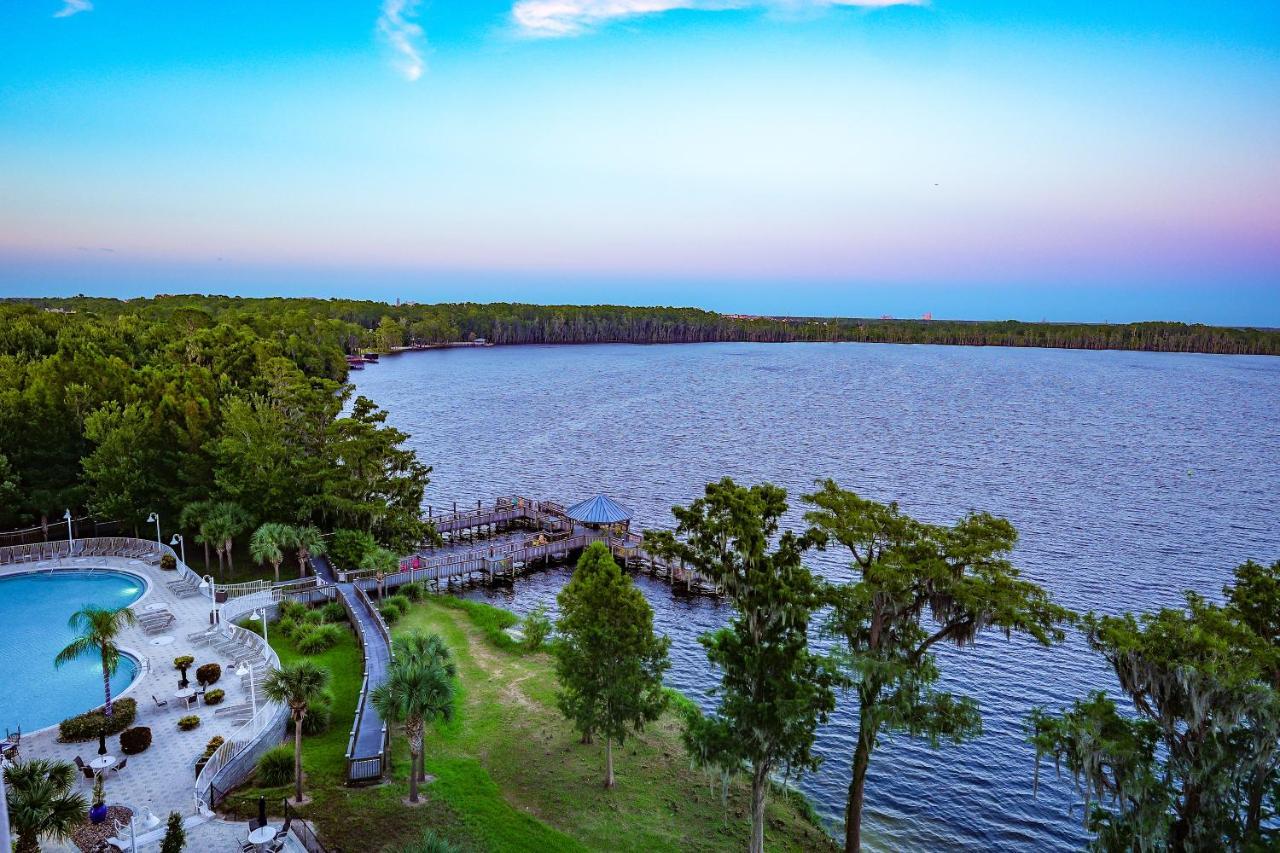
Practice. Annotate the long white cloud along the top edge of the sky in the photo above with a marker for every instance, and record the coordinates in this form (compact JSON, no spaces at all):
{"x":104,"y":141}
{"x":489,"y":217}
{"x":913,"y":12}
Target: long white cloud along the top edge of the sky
{"x":555,"y":19}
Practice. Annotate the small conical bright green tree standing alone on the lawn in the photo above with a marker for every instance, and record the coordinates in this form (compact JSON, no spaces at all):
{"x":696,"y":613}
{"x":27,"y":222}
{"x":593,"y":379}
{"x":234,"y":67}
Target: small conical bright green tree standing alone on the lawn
{"x":609,"y":662}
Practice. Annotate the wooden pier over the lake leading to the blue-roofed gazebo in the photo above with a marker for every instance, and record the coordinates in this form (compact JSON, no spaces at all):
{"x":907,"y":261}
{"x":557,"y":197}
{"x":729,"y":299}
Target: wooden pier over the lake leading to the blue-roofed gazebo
{"x":542,"y":535}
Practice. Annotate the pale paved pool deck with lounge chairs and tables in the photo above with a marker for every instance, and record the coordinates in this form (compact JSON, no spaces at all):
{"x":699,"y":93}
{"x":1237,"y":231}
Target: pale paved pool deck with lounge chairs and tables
{"x":161,"y":779}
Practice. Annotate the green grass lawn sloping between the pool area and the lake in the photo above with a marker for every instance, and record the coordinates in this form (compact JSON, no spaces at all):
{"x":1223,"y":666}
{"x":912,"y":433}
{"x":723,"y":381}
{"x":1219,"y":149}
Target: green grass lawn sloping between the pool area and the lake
{"x":510,"y":773}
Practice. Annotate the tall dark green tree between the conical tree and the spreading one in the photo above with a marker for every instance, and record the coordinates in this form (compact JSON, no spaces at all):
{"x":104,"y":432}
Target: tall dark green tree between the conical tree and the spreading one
{"x":774,"y":690}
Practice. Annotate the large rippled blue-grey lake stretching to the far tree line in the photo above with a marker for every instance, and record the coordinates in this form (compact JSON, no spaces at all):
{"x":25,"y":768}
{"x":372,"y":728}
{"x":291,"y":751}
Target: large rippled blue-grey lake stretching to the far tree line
{"x":1130,"y":476}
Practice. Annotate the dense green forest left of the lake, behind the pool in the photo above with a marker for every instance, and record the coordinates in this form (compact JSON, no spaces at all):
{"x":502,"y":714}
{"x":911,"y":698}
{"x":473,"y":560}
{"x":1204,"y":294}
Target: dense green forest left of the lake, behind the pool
{"x":222,"y":419}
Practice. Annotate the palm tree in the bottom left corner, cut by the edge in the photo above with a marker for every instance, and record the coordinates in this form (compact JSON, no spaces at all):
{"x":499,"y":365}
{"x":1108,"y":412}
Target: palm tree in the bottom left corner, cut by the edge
{"x":42,"y":802}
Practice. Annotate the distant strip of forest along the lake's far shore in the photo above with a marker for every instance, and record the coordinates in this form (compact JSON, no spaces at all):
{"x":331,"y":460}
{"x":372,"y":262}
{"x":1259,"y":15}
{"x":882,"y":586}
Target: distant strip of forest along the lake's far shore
{"x":378,"y":325}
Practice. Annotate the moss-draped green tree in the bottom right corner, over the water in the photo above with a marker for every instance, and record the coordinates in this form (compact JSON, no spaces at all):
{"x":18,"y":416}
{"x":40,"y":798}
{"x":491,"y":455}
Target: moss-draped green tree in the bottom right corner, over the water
{"x":1196,"y":765}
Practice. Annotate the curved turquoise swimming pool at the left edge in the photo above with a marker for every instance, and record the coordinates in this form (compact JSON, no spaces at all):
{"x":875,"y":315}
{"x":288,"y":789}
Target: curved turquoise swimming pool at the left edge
{"x":34,"y":613}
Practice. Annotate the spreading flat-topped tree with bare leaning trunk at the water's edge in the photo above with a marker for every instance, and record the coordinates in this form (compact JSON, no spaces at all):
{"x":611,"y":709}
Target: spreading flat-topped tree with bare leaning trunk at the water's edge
{"x":917,"y":586}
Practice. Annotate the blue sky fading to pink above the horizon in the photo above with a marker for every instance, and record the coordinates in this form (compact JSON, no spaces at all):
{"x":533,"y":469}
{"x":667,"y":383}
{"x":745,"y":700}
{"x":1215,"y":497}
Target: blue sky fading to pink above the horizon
{"x":1031,"y":159}
